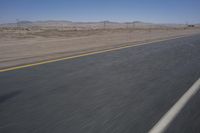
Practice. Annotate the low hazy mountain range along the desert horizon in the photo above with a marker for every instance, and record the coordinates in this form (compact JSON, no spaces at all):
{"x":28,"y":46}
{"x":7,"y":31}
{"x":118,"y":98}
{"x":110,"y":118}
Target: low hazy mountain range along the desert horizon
{"x":109,"y":24}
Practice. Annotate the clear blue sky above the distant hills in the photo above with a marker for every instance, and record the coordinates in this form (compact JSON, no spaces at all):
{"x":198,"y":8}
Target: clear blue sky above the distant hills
{"x":158,"y":11}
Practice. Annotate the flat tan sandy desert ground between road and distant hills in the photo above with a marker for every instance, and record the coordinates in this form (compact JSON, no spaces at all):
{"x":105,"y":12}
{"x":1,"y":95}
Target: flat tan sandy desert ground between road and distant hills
{"x":25,"y":46}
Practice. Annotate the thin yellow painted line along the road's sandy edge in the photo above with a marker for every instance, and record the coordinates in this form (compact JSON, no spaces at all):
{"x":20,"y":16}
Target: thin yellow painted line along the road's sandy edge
{"x":81,"y":55}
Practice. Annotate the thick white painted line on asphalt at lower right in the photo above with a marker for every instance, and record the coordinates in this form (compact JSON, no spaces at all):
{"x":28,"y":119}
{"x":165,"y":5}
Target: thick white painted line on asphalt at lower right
{"x":164,"y":122}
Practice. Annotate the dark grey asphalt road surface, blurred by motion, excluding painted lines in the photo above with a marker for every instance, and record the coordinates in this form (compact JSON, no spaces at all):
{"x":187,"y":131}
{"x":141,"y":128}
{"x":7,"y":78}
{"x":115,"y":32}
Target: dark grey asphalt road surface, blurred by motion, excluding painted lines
{"x":123,"y":91}
